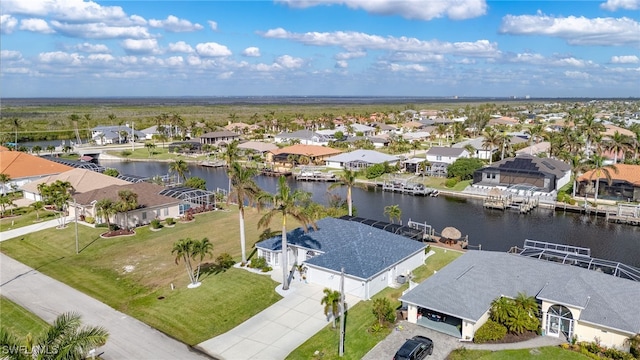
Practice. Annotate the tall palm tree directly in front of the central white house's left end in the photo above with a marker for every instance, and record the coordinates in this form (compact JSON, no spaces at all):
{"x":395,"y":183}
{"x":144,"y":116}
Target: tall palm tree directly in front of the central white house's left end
{"x":286,"y":203}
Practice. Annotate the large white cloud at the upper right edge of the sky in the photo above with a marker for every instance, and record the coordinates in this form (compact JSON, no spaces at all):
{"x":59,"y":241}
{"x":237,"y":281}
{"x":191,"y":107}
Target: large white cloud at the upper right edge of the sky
{"x":575,"y":30}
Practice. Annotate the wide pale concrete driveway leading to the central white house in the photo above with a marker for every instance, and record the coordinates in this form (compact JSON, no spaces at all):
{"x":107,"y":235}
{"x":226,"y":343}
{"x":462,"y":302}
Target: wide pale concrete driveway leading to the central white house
{"x":276,"y":331}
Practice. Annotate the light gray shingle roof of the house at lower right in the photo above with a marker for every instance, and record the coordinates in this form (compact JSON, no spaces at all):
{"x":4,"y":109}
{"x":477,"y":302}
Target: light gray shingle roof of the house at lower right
{"x":466,"y":287}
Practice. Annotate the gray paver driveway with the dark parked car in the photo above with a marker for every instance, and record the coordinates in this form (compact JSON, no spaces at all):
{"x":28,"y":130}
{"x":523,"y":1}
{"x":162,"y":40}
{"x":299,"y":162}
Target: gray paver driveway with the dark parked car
{"x":444,"y":344}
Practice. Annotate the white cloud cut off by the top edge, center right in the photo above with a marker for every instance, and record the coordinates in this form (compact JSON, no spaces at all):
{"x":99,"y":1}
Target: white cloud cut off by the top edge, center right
{"x":410,"y":9}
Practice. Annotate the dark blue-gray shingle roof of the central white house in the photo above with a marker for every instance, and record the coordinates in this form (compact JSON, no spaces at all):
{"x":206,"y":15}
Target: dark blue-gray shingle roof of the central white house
{"x":362,"y":250}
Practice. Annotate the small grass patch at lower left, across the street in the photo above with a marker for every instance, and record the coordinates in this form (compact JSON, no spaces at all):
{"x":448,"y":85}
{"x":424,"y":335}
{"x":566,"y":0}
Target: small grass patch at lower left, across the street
{"x":18,"y":320}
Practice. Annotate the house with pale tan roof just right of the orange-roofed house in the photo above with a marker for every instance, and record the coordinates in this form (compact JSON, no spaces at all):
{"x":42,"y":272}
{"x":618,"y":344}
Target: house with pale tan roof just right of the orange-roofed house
{"x":82,"y":180}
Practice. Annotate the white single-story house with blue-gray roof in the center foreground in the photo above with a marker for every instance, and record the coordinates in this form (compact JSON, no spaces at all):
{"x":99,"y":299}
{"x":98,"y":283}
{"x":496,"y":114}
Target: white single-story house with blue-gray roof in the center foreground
{"x":372,"y":258}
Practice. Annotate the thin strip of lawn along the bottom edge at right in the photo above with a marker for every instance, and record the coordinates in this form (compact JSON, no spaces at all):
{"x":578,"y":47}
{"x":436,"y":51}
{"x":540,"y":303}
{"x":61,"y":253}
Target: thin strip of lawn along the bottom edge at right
{"x":548,"y":352}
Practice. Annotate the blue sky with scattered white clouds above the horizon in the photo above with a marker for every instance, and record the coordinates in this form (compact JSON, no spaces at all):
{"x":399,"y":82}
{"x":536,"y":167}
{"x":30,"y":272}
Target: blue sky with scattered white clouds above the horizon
{"x":79,"y":48}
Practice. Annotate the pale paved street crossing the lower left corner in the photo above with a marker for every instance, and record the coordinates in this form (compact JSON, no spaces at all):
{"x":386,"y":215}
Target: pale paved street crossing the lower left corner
{"x":48,"y":298}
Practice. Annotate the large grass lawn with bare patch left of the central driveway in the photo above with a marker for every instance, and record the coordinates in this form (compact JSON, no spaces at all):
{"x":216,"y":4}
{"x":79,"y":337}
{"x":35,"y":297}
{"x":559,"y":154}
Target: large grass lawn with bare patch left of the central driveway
{"x":132,"y":273}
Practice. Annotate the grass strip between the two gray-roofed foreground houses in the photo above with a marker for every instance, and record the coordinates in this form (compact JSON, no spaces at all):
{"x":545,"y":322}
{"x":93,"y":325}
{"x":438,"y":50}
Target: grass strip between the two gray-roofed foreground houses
{"x":358,"y":339}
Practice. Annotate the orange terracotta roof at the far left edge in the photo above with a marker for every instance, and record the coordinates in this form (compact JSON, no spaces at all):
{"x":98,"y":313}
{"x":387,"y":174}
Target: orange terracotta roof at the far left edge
{"x":22,"y":165}
